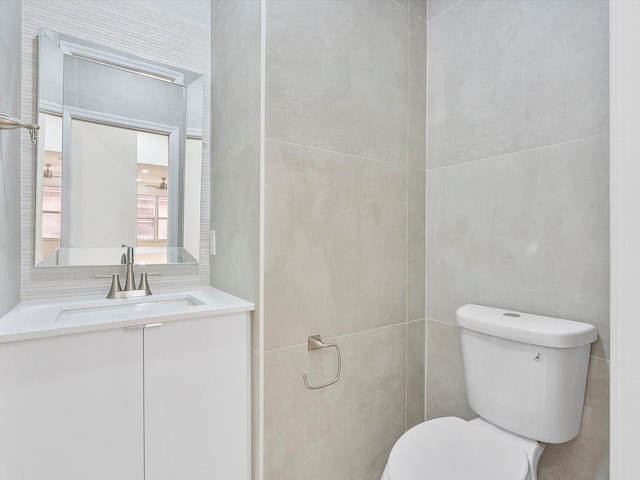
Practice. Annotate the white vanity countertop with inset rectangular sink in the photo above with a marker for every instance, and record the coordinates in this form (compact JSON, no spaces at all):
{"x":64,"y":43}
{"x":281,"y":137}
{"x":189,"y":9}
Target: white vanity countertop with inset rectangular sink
{"x":68,"y":315}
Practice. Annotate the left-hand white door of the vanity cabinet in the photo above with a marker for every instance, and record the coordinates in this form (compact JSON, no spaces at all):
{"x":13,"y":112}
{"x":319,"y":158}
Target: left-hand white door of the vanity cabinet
{"x":71,"y":407}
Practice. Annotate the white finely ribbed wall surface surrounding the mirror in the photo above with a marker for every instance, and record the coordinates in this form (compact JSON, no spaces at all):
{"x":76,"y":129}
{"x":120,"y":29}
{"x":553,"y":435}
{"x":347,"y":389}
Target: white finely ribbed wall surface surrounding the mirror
{"x":175,"y":32}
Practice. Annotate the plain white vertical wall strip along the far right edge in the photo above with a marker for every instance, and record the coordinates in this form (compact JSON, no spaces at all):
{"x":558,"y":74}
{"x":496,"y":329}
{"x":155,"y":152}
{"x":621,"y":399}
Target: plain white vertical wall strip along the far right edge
{"x":625,"y":239}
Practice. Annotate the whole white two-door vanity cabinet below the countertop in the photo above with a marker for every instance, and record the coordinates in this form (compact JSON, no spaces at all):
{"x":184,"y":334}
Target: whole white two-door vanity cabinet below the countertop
{"x":165,"y":399}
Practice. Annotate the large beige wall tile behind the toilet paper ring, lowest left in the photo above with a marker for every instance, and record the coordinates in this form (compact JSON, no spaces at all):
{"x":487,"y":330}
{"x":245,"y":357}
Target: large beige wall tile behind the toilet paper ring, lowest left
{"x":342,"y":432}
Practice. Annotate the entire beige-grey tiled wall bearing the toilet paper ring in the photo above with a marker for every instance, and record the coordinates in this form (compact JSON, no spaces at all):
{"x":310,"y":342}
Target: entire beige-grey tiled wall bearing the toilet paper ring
{"x":344,"y":233}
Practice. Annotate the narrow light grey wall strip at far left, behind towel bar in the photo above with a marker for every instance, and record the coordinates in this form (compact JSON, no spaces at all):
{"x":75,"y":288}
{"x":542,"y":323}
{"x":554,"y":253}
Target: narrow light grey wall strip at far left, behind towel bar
{"x":10,"y":52}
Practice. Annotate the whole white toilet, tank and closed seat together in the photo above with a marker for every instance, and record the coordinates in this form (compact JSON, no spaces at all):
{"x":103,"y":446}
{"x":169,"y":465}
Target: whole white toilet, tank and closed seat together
{"x":525,"y":376}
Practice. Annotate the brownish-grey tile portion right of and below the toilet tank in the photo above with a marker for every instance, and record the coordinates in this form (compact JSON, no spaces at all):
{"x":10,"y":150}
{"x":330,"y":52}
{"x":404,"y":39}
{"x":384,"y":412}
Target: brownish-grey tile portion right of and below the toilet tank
{"x":587,"y":456}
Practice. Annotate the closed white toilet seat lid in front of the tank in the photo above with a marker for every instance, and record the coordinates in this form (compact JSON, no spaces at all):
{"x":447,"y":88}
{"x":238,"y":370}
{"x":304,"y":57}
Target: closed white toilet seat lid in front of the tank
{"x":450,"y":448}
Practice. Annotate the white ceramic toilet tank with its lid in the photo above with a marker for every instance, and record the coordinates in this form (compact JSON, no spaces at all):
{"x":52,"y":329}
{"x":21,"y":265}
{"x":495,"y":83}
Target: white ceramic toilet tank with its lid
{"x":526,"y":373}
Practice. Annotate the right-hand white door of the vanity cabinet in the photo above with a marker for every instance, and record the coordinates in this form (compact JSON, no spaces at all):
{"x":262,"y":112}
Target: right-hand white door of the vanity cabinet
{"x":196,"y":386}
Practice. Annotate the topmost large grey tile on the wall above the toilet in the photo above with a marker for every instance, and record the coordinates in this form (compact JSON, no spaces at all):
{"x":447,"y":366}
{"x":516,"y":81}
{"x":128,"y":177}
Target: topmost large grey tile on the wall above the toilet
{"x":509,"y":76}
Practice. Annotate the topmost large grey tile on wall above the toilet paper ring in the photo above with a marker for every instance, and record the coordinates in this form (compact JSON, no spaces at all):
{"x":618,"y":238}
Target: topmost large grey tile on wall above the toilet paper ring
{"x":337,"y":76}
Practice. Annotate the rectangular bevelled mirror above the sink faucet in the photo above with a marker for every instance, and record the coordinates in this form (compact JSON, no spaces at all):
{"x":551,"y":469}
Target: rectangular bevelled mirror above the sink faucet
{"x":119,"y":156}
